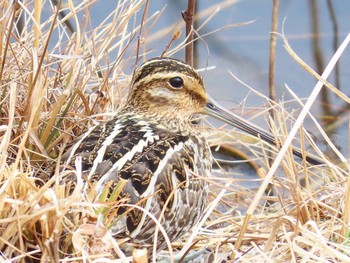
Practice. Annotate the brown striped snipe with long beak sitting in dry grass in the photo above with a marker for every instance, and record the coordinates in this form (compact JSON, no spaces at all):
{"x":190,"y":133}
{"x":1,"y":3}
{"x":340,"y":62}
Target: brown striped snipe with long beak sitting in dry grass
{"x":155,"y":148}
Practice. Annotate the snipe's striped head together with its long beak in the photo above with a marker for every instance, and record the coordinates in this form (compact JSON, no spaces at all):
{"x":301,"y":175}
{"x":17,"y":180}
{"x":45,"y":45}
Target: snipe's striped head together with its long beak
{"x":169,"y":89}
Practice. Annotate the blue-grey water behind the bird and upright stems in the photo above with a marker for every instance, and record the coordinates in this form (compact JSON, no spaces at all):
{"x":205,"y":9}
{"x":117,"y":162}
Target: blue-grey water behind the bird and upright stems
{"x":244,"y":51}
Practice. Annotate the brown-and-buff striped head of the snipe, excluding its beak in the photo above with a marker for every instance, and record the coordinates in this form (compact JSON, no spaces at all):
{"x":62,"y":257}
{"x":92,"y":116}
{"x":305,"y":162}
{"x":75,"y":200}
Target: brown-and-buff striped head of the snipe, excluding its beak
{"x":167,"y":88}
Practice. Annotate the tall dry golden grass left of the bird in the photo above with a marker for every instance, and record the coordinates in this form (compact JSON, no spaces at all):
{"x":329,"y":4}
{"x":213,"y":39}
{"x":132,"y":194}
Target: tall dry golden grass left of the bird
{"x":53,"y":84}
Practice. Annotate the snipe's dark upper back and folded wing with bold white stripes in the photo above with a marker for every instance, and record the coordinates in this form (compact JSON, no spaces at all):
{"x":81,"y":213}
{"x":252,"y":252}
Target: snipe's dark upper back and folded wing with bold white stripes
{"x":148,"y":157}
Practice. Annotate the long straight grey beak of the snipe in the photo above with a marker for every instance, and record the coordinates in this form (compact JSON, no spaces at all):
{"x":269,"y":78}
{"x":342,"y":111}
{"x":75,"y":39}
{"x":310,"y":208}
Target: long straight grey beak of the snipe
{"x":218,"y":112}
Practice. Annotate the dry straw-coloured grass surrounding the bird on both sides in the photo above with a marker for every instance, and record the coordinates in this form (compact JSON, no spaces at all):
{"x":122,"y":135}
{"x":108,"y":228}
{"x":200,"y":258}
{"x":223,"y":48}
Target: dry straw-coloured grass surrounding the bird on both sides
{"x":53,"y":85}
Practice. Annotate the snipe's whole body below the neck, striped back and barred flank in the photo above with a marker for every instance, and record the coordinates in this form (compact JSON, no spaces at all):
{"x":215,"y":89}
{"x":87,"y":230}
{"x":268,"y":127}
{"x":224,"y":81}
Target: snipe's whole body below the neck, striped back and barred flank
{"x":163,"y":169}
